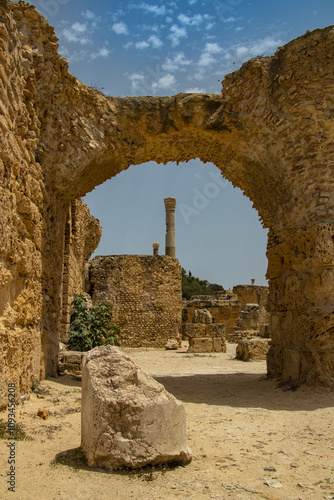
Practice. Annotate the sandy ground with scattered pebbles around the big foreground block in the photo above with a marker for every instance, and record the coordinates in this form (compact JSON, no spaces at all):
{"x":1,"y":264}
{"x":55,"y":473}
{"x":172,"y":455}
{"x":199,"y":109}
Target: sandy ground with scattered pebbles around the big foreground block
{"x":250,"y":439}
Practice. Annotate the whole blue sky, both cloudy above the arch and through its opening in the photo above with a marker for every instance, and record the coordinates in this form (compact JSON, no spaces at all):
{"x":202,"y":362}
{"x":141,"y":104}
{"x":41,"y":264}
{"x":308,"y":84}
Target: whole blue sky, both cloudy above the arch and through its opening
{"x":161,"y":48}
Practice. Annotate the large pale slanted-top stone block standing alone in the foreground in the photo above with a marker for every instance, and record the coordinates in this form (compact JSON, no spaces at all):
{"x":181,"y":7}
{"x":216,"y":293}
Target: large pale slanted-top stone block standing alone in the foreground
{"x":128,"y":419}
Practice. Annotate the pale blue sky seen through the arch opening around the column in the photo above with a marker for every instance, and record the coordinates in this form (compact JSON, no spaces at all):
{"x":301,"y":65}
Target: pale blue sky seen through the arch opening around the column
{"x":218,"y":234}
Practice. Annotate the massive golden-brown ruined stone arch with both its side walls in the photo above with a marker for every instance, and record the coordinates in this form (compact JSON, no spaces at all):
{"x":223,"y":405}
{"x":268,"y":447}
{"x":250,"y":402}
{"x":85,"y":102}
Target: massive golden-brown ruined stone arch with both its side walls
{"x":270,"y":132}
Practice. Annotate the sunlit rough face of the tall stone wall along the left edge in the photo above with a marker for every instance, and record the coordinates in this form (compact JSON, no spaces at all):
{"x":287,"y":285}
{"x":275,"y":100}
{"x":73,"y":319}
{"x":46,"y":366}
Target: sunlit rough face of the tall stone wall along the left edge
{"x":24,"y":222}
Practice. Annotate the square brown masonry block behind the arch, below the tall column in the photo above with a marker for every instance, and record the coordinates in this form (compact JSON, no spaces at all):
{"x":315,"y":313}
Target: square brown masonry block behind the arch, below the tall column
{"x":145,"y":292}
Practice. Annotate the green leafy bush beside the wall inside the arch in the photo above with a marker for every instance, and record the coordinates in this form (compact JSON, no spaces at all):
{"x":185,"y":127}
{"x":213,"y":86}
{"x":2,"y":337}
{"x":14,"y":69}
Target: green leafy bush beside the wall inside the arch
{"x":91,"y":326}
